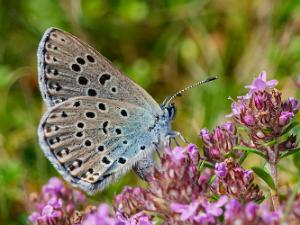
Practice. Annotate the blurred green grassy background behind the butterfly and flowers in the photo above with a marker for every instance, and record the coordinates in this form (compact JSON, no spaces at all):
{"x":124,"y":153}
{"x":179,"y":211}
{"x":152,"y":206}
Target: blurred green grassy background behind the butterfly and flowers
{"x":162,"y":45}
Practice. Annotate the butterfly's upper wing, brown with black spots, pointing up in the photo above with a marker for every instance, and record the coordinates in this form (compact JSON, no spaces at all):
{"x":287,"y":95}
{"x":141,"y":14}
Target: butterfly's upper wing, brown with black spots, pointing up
{"x":69,"y":68}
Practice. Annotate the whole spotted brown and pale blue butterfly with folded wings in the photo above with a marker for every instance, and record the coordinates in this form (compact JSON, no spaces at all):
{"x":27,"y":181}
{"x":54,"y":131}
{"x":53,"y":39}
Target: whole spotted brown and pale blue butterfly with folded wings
{"x":99,"y":123}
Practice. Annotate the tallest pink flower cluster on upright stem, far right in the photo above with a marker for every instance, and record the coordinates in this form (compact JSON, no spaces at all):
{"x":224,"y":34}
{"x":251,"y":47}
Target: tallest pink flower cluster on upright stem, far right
{"x":264,"y":113}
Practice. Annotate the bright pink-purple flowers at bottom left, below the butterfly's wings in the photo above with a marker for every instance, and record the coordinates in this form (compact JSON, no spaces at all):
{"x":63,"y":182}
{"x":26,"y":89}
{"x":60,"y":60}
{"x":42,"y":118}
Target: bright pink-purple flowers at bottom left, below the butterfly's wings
{"x":58,"y":204}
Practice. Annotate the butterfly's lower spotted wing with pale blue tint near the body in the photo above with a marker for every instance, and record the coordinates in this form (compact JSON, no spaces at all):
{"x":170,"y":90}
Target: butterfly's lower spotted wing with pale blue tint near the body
{"x":92,"y":141}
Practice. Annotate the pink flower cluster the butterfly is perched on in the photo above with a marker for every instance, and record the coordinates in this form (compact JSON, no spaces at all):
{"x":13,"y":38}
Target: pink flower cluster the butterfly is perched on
{"x":172,"y":188}
